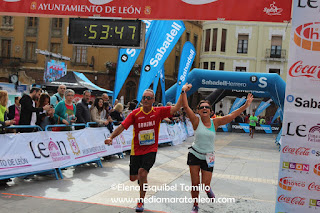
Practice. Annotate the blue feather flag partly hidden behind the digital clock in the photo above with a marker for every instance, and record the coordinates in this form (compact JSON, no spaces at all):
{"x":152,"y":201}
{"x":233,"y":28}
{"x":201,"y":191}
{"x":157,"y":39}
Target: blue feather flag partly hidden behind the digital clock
{"x":126,"y":59}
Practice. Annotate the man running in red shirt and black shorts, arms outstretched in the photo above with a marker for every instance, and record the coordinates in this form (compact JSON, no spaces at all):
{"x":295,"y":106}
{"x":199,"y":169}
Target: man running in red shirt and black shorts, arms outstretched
{"x":146,"y":122}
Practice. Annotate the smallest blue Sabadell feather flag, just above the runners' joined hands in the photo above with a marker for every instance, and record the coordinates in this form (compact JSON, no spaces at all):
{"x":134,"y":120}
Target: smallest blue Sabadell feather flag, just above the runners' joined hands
{"x":186,"y":60}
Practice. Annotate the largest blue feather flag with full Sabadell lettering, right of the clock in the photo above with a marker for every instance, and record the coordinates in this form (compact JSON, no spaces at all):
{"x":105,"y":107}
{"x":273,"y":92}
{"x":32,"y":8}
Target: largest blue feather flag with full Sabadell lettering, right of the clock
{"x":164,"y":36}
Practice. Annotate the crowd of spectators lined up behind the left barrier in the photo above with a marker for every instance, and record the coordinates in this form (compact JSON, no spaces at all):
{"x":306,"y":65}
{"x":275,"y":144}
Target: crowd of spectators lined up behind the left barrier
{"x":38,"y":108}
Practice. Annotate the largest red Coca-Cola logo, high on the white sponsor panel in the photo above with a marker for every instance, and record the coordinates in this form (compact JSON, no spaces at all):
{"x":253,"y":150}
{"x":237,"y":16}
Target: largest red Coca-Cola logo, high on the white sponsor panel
{"x":299,"y":69}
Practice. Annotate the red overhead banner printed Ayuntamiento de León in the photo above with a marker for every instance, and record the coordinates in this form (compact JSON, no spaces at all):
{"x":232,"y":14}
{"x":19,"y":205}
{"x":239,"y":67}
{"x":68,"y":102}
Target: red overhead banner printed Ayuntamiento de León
{"x":246,"y":10}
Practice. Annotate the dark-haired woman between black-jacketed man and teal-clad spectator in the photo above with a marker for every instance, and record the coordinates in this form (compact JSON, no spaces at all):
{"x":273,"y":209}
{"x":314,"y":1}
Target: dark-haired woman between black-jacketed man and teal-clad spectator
{"x":45,"y":118}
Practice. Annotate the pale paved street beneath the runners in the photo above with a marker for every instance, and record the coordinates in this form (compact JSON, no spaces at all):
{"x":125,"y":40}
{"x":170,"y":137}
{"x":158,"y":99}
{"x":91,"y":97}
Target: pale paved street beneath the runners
{"x":245,"y":169}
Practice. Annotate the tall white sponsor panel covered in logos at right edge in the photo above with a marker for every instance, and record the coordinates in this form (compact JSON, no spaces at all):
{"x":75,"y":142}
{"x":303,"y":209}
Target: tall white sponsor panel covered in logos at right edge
{"x":299,"y":173}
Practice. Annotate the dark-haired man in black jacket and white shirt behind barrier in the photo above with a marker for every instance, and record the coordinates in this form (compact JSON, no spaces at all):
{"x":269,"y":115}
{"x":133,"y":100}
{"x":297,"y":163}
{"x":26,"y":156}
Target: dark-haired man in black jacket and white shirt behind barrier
{"x":28,"y":115}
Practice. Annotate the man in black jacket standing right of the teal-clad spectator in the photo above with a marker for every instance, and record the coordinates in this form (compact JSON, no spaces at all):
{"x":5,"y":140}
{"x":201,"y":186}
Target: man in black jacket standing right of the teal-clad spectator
{"x":83,"y":112}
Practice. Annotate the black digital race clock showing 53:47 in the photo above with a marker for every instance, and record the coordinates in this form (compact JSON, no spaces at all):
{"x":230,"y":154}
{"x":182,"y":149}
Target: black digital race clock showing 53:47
{"x":106,"y":32}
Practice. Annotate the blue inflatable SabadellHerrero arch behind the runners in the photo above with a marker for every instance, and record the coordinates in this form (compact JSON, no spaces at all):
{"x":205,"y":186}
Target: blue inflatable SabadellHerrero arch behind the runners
{"x":271,"y":83}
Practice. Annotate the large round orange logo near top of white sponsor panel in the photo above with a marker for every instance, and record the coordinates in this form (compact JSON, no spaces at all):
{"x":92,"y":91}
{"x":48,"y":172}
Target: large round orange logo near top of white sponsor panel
{"x":307,"y":36}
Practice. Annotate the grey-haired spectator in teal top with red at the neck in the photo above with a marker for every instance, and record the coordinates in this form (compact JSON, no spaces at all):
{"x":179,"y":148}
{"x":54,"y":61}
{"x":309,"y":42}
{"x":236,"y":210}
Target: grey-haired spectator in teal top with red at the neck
{"x":65,"y":111}
